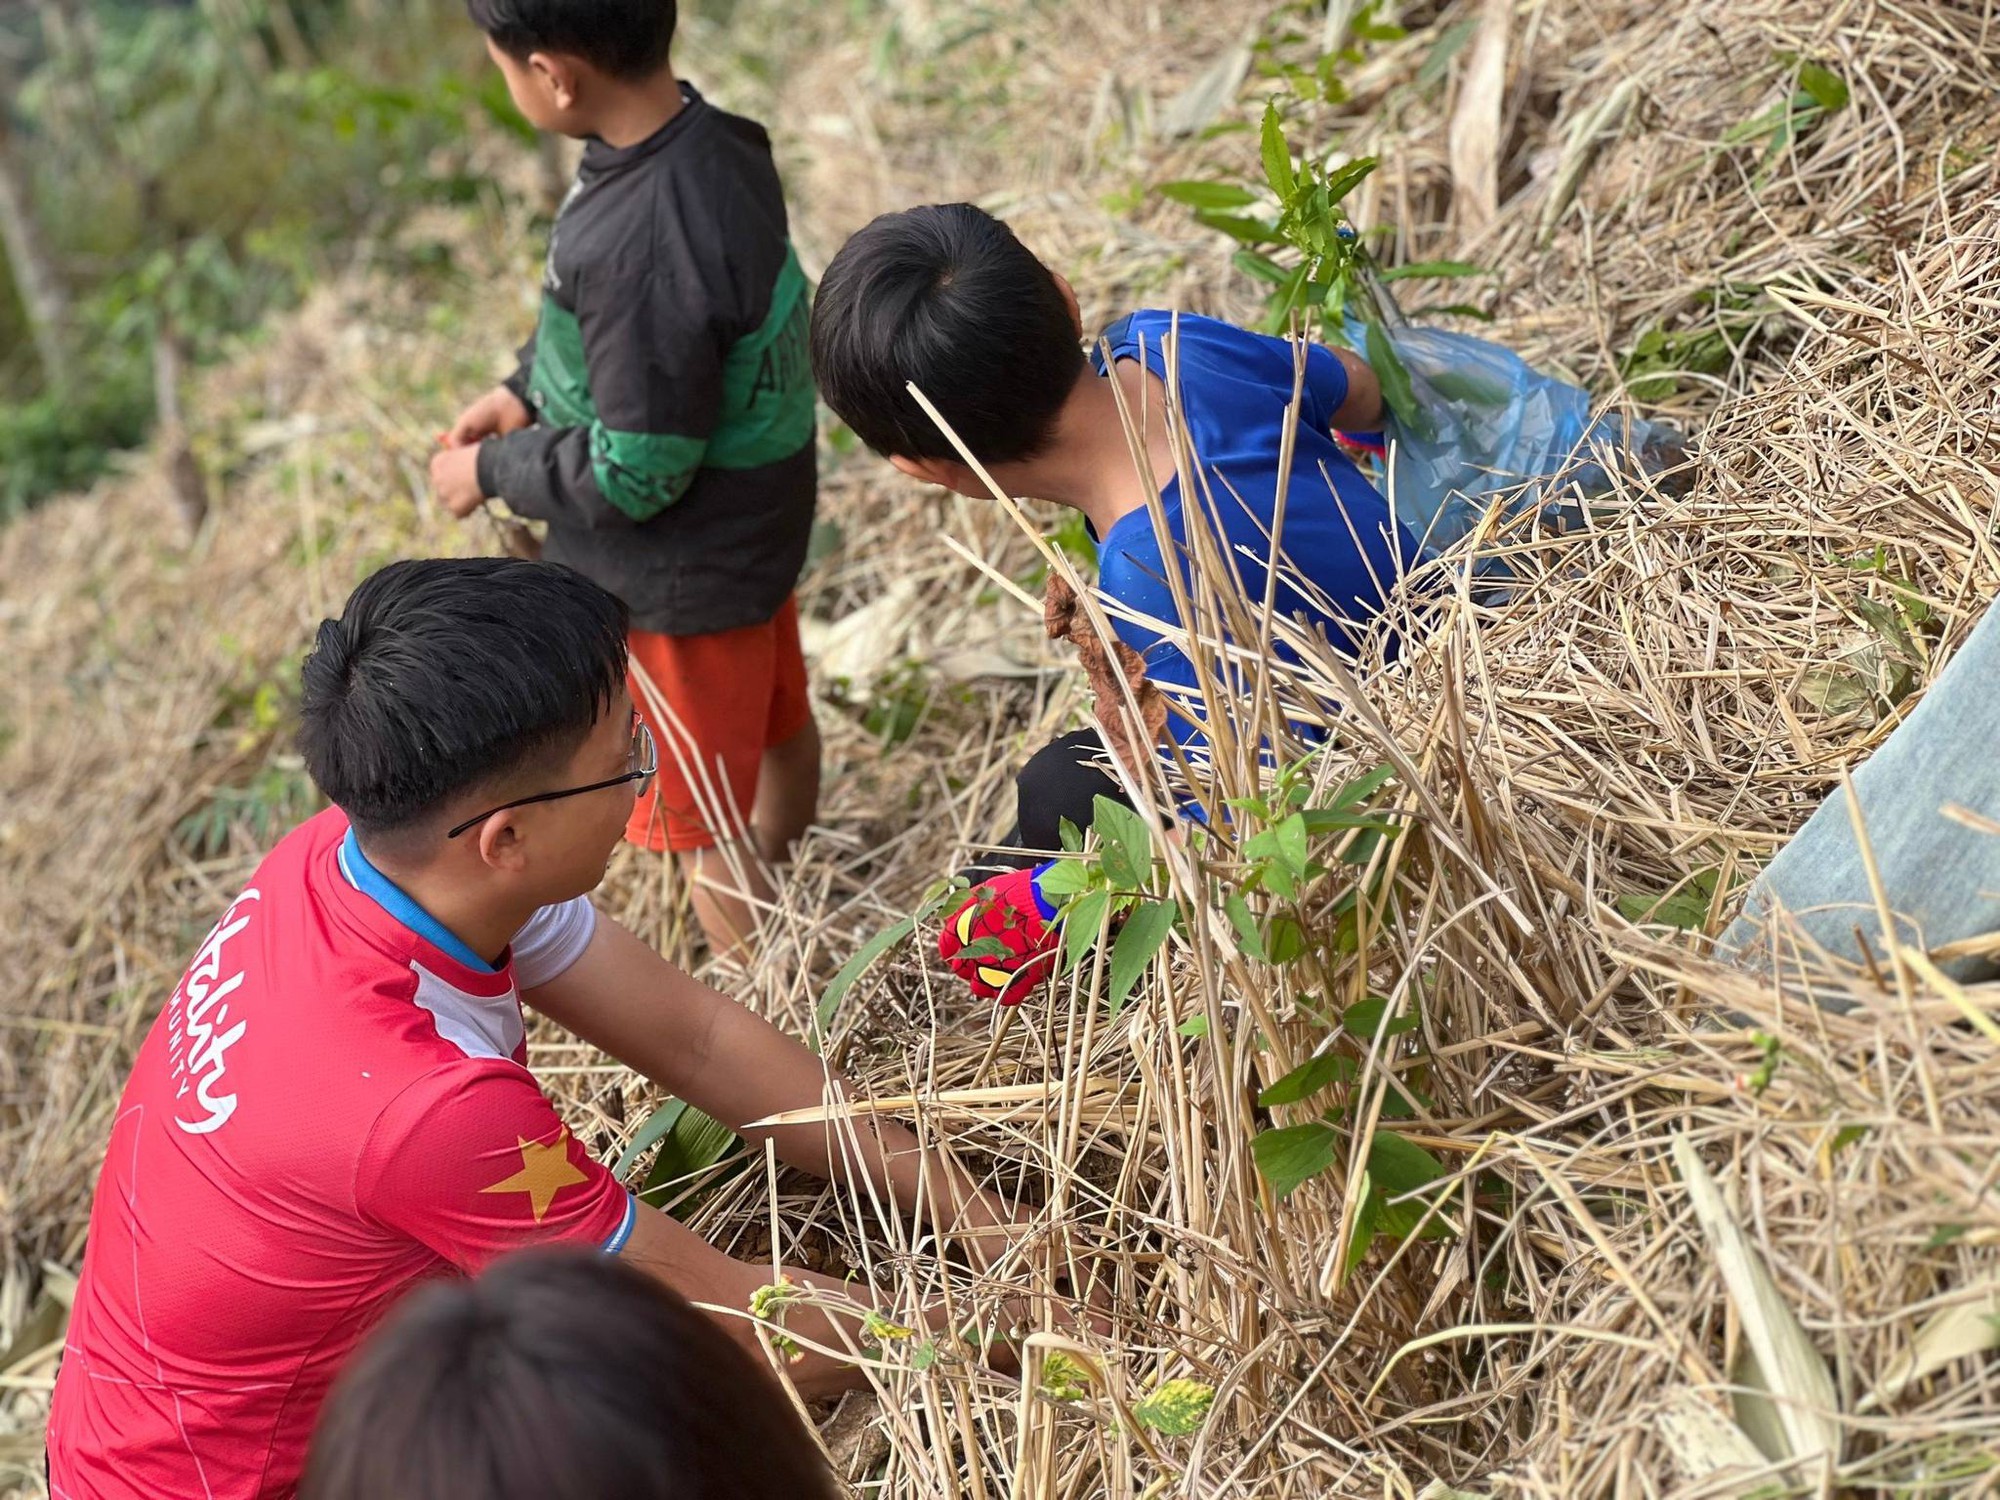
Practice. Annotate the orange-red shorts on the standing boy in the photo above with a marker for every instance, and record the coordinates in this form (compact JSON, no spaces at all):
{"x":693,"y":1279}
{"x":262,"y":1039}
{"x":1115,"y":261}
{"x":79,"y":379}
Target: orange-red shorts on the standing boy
{"x":729,"y":699}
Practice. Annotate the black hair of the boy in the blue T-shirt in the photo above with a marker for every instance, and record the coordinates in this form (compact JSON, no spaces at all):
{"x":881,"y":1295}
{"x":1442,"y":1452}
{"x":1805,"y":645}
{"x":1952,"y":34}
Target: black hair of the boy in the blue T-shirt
{"x":949,"y":299}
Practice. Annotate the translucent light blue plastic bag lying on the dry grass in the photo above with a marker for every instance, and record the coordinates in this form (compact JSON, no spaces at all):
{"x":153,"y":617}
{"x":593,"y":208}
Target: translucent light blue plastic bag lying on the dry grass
{"x":1489,"y":427}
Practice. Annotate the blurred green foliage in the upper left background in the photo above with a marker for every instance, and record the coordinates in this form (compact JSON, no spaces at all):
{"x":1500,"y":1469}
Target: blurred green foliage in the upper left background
{"x":199,"y":163}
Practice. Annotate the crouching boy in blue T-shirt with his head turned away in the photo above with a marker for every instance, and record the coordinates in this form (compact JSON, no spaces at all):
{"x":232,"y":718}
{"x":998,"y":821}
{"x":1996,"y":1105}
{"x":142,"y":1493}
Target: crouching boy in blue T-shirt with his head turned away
{"x":945,"y":297}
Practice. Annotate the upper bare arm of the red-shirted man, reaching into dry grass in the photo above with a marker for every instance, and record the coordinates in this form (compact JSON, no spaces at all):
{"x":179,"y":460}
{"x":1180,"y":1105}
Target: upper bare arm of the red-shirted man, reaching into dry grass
{"x":737,"y":1067}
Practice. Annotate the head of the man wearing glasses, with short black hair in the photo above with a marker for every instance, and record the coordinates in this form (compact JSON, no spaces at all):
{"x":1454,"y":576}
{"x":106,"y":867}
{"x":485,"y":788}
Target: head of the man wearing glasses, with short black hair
{"x":471,"y":719}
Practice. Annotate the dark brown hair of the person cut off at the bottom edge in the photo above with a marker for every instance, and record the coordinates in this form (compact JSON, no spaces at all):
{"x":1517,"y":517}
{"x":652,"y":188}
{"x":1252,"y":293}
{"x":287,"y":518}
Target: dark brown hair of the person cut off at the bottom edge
{"x":559,"y":1375}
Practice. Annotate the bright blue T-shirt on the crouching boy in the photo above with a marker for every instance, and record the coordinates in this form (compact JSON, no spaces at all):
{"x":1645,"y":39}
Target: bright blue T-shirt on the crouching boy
{"x":1341,"y":549}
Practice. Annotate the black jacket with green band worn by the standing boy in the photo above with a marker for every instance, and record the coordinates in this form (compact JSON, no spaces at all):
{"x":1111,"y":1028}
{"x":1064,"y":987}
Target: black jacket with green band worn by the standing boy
{"x":673,"y":449}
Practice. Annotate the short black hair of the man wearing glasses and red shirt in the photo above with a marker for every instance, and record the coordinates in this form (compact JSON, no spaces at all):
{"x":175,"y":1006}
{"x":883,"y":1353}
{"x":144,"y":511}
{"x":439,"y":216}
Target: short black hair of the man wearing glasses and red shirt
{"x":451,"y":673}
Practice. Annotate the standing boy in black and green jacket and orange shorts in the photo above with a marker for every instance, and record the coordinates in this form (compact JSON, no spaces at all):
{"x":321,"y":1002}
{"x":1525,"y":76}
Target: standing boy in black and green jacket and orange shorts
{"x":663,"y":425}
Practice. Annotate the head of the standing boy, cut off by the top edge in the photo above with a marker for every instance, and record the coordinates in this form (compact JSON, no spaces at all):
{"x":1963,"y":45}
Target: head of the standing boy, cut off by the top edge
{"x":569,"y":65}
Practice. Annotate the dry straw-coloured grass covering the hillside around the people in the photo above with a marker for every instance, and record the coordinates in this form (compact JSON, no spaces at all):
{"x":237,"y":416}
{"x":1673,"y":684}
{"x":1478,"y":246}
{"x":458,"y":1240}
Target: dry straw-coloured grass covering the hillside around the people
{"x":1671,"y":1231}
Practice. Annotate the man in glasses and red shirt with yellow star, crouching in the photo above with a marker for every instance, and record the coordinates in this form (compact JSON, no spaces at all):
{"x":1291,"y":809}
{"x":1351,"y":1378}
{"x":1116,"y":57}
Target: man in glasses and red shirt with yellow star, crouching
{"x":335,"y":1103}
